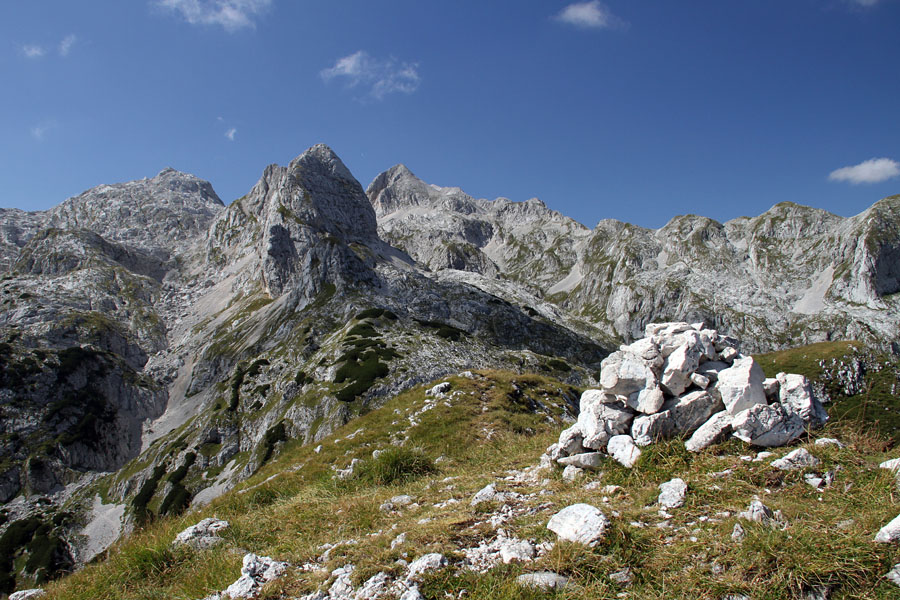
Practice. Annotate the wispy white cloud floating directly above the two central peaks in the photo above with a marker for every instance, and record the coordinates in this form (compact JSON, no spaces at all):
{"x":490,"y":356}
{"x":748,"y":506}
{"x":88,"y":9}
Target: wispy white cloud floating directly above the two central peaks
{"x":379,"y":76}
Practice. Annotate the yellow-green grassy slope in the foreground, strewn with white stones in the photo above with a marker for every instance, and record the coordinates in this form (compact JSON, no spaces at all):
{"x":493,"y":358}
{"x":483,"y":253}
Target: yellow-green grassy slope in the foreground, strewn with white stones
{"x":293,"y":506}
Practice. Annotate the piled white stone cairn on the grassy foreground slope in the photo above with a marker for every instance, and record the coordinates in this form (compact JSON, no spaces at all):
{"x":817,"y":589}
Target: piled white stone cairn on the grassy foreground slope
{"x":683,"y":380}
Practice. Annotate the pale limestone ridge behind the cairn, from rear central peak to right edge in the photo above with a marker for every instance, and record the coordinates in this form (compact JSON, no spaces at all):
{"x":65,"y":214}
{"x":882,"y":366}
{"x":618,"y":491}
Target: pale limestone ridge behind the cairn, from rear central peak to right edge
{"x":791,"y":275}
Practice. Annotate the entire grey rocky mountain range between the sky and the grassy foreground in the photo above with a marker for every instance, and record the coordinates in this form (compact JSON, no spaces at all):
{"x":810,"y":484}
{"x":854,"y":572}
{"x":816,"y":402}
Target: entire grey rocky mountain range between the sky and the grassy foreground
{"x":157,"y":347}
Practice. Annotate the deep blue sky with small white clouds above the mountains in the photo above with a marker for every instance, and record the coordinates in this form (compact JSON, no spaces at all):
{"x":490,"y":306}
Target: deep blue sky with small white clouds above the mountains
{"x":626,"y":109}
